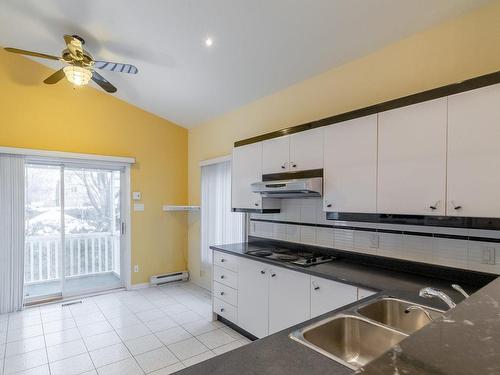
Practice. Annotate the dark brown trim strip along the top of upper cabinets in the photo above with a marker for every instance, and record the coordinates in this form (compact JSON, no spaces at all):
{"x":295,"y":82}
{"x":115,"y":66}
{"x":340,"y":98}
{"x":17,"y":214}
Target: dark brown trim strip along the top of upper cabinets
{"x":454,"y":88}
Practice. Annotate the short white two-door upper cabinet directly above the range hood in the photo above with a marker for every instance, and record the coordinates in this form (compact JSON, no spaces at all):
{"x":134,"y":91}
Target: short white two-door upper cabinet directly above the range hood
{"x":297,"y":152}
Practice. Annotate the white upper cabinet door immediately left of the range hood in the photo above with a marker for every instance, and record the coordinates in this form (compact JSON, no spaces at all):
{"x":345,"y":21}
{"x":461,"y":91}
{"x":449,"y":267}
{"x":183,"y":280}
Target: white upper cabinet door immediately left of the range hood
{"x":246,"y":169}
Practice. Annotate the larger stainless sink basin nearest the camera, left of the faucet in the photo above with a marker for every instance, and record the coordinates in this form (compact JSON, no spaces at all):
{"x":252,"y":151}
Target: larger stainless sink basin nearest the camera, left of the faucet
{"x":350,"y":340}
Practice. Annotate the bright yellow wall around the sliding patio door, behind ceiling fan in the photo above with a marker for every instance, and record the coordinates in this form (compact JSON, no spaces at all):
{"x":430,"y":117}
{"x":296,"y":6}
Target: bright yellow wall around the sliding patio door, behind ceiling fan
{"x":34,"y":115}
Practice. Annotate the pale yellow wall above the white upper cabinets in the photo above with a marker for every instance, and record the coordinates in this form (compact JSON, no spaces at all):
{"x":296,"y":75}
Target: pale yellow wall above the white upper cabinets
{"x":462,"y":48}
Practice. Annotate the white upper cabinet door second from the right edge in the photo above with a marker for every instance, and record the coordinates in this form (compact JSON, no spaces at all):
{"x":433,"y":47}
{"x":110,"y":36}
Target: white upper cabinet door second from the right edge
{"x":412,"y":159}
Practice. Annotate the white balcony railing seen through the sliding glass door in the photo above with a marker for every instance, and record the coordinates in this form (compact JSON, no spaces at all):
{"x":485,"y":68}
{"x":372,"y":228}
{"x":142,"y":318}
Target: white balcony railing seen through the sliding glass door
{"x":85,"y":254}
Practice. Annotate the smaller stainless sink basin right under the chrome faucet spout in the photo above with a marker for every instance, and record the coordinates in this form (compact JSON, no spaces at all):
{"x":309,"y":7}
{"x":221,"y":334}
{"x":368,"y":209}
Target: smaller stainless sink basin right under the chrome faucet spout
{"x":391,"y":312}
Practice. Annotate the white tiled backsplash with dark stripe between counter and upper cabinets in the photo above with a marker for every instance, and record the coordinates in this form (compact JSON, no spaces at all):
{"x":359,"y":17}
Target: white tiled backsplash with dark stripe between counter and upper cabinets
{"x":303,"y":221}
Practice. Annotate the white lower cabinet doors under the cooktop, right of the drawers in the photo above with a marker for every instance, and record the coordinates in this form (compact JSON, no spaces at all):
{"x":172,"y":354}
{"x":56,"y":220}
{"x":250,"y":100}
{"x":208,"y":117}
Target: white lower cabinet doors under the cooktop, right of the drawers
{"x":272,"y":298}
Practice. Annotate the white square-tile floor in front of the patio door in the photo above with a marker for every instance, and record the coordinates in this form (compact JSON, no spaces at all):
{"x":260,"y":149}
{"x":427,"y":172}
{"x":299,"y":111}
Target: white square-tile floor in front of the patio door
{"x":154,"y":331}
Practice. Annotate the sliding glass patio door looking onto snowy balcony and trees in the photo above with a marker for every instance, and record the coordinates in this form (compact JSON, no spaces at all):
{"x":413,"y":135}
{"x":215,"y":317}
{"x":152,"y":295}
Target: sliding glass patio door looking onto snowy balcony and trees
{"x":79,"y":207}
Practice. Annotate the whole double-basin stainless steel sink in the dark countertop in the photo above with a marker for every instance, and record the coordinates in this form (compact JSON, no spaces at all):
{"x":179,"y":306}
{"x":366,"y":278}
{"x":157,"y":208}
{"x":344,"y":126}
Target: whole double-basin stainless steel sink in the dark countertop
{"x":373,"y":328}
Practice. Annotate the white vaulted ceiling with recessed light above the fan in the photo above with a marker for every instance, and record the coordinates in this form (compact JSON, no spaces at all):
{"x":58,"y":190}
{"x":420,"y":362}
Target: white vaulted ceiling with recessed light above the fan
{"x":259,"y":46}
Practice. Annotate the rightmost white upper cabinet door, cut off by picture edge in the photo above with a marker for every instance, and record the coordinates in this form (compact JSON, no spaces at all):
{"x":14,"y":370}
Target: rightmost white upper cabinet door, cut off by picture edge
{"x":474,"y":153}
